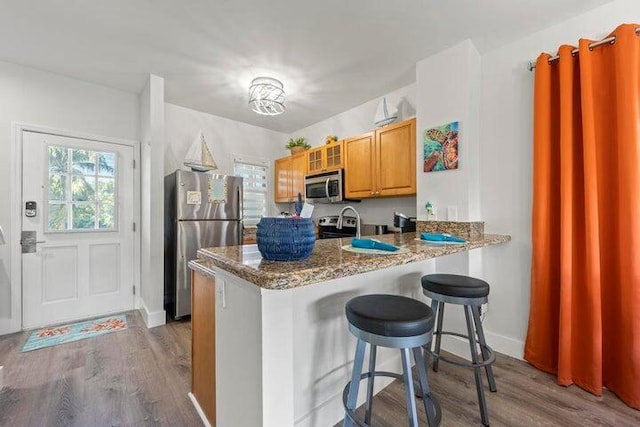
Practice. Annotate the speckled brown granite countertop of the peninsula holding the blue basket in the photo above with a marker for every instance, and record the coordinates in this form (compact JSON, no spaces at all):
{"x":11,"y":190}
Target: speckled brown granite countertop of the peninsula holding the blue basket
{"x":328,"y":260}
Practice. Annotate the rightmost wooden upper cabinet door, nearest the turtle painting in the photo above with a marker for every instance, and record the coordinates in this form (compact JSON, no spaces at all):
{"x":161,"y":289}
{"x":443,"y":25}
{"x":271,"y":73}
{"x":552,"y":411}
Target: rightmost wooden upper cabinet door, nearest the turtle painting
{"x":396,"y":151}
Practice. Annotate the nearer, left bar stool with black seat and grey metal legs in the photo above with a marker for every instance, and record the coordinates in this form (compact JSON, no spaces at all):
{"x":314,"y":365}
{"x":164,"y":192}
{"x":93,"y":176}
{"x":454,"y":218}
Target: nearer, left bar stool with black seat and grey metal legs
{"x":395,"y":322}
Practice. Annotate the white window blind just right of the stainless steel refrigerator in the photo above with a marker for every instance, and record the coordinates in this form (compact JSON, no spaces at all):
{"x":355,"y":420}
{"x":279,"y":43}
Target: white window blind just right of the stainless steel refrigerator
{"x":255,"y":190}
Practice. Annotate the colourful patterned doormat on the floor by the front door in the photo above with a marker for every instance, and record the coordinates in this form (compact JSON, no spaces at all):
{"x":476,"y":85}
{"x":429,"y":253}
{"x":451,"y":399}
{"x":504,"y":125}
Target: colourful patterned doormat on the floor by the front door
{"x":55,"y":335}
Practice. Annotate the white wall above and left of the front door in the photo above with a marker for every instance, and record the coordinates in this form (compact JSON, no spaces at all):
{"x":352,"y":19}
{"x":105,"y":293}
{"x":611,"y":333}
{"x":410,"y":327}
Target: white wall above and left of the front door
{"x":35,"y":97}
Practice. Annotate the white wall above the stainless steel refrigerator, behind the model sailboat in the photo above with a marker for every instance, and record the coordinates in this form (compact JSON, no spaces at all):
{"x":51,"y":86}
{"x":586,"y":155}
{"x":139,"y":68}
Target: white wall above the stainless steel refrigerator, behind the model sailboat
{"x":225,"y":138}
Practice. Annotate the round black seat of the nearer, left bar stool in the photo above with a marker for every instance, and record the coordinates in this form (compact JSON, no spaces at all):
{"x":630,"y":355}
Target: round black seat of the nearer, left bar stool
{"x":390,"y":315}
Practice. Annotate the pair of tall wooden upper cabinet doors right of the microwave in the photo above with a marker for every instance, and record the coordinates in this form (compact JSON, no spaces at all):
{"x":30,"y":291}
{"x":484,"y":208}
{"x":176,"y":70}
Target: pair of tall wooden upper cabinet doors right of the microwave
{"x":382,"y":163}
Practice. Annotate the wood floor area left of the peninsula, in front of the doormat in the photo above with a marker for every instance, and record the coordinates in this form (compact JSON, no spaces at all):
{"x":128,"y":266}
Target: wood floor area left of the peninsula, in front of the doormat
{"x":135,"y":377}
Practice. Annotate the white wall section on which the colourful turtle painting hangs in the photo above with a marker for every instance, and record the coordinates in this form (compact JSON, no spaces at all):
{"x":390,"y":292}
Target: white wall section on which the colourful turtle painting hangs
{"x":447,"y":94}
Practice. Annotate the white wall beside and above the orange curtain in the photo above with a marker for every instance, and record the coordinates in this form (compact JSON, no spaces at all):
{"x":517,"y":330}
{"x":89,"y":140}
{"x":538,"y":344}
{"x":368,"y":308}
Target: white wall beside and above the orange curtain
{"x":506,"y":157}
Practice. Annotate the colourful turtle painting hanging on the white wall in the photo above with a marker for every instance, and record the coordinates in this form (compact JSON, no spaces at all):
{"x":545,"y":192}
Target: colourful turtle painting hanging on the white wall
{"x":441,"y":148}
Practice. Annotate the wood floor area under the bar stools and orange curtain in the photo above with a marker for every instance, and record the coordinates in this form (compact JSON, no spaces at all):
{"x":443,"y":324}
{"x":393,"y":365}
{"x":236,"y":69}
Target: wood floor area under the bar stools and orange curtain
{"x":525,"y":397}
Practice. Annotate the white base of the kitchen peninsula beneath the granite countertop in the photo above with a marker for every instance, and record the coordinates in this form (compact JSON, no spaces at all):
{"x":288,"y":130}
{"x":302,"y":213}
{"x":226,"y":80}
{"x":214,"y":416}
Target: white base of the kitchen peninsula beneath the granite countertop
{"x":284,"y":356}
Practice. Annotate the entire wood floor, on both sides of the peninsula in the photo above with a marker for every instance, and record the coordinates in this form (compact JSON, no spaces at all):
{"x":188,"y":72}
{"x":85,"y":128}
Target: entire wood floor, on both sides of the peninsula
{"x":141,"y":377}
